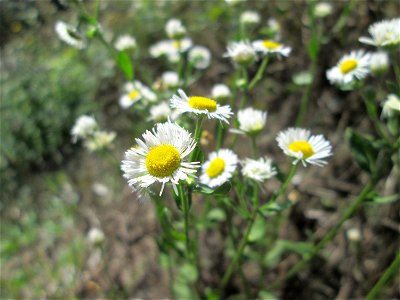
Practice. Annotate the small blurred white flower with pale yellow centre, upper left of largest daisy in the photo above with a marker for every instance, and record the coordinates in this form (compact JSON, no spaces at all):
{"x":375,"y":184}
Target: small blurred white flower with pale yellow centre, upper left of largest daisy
{"x":135,"y":91}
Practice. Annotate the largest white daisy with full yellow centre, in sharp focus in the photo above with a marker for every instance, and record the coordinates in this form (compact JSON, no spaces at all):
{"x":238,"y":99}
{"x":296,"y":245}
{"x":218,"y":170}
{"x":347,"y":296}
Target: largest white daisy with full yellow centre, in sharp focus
{"x":160,"y":157}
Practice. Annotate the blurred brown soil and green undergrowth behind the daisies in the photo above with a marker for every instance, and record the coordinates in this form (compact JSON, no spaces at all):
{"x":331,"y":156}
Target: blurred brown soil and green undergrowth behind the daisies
{"x":57,"y":199}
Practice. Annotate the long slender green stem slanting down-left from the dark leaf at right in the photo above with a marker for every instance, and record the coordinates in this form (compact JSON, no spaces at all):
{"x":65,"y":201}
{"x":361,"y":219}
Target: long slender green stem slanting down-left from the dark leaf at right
{"x":331,"y":233}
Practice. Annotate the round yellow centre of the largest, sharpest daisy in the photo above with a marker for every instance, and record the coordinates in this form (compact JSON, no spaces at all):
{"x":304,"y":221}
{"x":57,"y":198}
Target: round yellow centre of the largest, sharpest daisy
{"x":163,"y":160}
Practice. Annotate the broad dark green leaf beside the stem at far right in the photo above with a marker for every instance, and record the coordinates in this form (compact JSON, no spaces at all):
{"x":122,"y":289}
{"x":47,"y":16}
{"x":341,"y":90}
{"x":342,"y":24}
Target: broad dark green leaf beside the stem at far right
{"x":362,"y":149}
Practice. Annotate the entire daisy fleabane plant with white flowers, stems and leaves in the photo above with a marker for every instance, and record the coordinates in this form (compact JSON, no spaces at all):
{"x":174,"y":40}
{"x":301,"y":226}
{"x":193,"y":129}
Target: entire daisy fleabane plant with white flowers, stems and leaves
{"x":169,"y":160}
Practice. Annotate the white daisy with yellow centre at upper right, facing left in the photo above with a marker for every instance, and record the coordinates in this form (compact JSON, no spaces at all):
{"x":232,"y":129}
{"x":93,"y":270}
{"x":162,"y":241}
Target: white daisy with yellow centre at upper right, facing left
{"x":352,"y":66}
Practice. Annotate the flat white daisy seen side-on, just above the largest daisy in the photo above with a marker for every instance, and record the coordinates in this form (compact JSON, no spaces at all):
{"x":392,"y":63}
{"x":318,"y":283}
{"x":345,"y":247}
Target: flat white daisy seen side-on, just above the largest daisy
{"x":201,"y":106}
